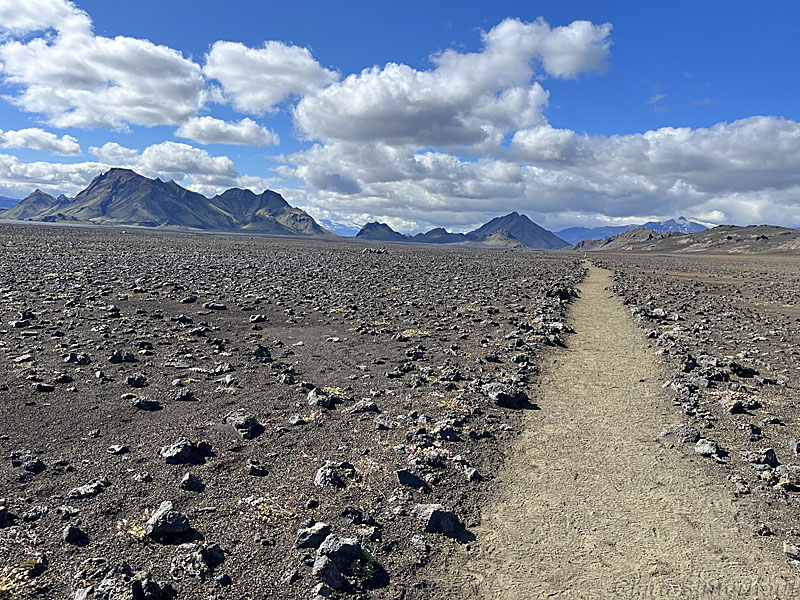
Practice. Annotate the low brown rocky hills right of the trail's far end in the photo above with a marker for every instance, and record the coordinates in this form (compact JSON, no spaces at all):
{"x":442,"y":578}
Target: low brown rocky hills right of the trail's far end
{"x":724,"y":239}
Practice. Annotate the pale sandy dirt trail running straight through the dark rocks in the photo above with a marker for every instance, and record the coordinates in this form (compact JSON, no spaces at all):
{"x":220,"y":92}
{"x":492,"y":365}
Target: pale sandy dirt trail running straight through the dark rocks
{"x":592,"y":504}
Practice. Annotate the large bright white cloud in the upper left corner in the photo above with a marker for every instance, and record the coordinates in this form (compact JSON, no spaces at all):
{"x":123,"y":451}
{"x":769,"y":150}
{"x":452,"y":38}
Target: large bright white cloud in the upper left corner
{"x":78,"y":79}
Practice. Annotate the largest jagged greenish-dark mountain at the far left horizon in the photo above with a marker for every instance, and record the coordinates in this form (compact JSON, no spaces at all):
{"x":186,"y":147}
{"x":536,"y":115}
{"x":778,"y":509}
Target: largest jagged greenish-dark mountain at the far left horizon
{"x":123,"y":197}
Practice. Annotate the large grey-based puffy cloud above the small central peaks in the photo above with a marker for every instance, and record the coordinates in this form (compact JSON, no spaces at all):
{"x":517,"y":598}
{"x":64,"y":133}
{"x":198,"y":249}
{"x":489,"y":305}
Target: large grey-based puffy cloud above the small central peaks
{"x":467,"y":99}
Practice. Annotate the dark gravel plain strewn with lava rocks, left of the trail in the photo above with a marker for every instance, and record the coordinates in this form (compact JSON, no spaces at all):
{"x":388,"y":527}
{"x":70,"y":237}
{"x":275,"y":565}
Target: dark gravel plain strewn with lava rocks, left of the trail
{"x":316,"y":413}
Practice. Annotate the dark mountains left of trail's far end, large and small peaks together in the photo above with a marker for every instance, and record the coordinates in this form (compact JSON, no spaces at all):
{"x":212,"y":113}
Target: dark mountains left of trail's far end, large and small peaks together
{"x":123,"y":197}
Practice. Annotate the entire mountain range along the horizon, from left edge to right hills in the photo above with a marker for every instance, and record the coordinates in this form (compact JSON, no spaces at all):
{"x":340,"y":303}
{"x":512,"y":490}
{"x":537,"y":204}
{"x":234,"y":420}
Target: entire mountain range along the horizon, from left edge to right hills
{"x":123,"y":197}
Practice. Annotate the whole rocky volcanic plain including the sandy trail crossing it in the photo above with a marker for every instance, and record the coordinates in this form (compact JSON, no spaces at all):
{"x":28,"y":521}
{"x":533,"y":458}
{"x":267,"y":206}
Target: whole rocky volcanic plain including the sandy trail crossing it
{"x":201,"y":416}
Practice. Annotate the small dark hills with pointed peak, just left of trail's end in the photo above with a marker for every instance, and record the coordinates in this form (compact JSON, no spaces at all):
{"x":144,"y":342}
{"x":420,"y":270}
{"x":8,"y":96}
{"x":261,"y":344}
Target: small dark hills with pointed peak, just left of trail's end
{"x":510,"y":231}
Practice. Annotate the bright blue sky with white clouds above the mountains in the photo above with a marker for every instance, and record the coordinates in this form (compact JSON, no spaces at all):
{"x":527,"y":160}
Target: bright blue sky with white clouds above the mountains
{"x":416,"y":114}
